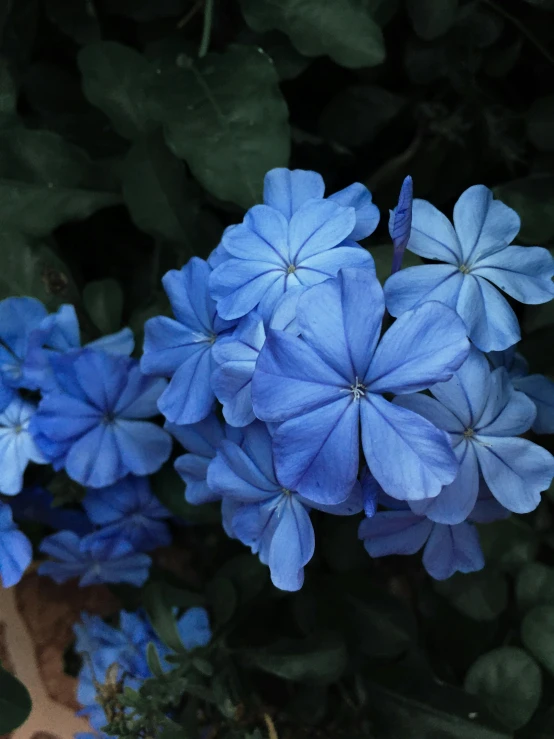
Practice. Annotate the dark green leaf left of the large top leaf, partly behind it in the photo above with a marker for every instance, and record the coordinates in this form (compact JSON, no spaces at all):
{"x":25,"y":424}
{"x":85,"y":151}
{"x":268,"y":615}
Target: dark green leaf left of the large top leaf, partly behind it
{"x":115,"y":78}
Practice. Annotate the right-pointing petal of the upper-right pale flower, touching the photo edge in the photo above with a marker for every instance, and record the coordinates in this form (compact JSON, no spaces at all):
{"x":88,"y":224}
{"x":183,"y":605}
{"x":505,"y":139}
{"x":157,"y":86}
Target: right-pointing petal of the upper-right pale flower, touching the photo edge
{"x":524,"y":272}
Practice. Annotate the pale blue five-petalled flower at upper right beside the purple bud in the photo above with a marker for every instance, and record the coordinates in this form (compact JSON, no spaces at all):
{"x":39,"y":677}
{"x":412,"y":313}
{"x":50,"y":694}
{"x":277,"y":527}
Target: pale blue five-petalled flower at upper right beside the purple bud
{"x":474,"y":254}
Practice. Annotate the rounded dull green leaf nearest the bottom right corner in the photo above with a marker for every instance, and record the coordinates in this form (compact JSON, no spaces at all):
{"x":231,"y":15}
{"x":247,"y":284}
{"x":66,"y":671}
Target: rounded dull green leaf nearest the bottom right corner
{"x":509,"y":682}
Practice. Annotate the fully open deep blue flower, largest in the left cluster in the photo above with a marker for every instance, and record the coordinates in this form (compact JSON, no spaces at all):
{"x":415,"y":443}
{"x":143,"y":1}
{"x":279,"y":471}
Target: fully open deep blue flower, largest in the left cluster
{"x":92,"y":424}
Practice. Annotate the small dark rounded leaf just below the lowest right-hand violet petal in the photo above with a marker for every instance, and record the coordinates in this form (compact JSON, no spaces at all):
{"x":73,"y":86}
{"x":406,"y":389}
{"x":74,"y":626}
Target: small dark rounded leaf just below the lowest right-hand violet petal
{"x":482,"y":595}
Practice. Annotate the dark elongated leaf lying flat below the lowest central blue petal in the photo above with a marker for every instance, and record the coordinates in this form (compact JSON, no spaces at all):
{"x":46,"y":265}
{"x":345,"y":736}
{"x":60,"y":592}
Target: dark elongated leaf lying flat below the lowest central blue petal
{"x":319,"y":658}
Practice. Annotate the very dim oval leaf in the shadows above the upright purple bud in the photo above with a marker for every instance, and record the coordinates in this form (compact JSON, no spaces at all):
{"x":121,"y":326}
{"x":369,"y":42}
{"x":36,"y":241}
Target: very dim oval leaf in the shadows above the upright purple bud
{"x":357,"y":114}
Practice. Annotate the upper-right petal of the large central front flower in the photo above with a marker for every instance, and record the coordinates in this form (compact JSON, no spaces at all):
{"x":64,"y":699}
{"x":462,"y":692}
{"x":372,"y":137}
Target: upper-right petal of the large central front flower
{"x":424,"y":346}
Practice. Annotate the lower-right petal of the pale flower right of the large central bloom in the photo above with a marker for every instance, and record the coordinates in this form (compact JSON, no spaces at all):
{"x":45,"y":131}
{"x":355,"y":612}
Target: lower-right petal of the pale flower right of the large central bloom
{"x":515,"y":470}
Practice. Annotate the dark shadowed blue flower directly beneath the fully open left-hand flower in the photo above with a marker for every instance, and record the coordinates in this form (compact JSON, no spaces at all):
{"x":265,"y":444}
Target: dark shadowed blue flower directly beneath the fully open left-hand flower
{"x":128,"y":510}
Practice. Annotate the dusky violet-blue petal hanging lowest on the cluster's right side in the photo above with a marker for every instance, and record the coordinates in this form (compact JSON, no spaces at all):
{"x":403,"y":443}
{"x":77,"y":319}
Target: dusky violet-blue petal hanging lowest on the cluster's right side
{"x":452,"y":549}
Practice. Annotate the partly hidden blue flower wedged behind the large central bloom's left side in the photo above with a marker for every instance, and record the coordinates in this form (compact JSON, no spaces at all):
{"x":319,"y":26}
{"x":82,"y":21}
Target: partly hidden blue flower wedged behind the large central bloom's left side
{"x":237,"y":355}
